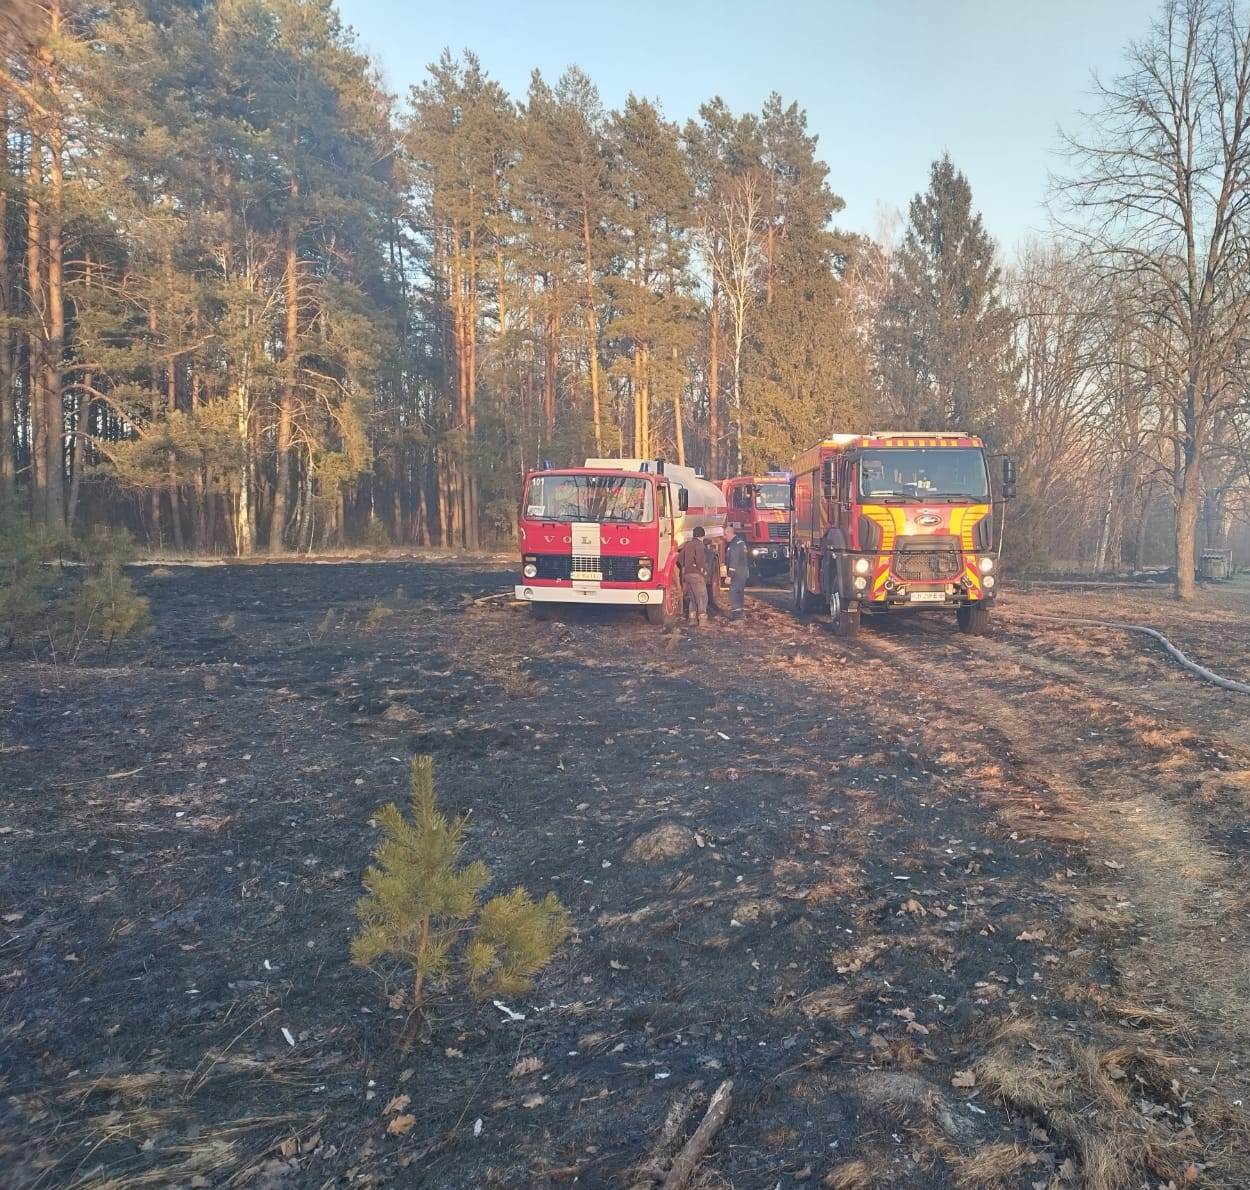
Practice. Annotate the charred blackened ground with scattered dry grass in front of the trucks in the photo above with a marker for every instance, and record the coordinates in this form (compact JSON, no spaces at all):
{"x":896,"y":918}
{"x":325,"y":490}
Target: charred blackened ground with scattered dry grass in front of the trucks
{"x":922,"y":856}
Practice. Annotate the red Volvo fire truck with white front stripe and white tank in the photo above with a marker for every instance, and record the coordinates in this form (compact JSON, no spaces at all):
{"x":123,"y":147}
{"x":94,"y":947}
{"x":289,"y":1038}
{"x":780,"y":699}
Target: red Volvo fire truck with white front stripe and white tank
{"x":609,"y":533}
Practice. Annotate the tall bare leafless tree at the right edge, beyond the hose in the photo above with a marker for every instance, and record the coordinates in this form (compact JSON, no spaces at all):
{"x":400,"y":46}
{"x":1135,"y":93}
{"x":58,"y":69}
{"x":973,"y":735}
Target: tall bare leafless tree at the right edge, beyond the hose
{"x":1161,"y":193}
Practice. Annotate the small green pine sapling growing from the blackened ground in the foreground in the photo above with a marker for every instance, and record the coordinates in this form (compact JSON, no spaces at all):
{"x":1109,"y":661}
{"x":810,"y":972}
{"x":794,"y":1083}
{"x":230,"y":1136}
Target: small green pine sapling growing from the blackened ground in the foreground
{"x":423,"y":909}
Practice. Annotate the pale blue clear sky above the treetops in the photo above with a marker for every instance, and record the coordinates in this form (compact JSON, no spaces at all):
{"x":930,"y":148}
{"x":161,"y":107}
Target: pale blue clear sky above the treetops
{"x":888,"y":84}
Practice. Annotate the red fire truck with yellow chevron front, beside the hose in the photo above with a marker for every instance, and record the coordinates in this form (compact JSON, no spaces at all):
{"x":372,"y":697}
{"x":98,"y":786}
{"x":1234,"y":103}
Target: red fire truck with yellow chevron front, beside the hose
{"x":896,"y":521}
